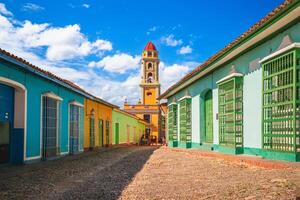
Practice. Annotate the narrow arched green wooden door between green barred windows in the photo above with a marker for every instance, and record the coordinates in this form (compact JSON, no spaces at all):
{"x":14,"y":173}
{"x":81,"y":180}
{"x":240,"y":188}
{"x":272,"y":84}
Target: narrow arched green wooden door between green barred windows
{"x":208,"y":117}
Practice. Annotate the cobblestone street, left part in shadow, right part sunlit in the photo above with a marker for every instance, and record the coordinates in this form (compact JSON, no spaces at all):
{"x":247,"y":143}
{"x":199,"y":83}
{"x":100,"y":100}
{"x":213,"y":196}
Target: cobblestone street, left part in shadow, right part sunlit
{"x":146,"y":173}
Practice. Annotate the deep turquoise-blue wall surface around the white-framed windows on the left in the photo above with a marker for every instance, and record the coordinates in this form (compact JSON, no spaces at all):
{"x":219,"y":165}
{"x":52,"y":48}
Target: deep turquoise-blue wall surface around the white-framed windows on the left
{"x":36,"y":86}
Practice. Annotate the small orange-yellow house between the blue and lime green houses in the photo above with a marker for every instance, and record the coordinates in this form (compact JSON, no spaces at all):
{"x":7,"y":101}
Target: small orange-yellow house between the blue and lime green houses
{"x":97,"y":123}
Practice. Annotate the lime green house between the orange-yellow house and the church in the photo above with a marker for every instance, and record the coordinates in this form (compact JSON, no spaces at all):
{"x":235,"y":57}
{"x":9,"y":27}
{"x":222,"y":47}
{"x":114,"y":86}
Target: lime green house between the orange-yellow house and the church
{"x":127,"y":128}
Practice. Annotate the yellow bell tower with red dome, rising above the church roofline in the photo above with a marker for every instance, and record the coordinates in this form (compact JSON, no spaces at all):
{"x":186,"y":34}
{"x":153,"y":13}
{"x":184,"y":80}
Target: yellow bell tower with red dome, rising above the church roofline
{"x":150,"y":85}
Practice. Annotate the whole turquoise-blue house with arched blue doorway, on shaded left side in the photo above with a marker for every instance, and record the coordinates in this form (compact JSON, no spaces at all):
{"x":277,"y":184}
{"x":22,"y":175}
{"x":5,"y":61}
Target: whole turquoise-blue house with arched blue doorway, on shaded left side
{"x":41,"y":115}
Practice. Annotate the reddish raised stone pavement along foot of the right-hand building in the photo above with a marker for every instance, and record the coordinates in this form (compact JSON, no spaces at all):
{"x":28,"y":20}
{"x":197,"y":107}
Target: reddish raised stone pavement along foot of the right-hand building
{"x":242,"y":159}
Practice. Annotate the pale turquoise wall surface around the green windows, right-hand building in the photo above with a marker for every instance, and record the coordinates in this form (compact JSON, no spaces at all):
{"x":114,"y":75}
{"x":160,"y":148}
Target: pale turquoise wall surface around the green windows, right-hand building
{"x":252,"y":89}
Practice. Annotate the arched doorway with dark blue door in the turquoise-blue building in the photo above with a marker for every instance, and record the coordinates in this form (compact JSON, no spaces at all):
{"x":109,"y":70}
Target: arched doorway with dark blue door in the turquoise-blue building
{"x":12,"y":121}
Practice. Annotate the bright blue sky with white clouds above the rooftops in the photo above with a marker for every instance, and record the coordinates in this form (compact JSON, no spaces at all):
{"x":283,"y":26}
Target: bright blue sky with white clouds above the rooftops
{"x":97,"y":44}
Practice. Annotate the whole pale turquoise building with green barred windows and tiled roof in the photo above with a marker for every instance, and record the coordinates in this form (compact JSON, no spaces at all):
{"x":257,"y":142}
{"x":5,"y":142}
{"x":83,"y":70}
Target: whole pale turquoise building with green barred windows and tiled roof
{"x":245,"y":98}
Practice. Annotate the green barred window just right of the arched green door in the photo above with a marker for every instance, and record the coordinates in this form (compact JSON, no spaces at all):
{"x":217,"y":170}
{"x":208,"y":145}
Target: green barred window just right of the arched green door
{"x":231,"y":112}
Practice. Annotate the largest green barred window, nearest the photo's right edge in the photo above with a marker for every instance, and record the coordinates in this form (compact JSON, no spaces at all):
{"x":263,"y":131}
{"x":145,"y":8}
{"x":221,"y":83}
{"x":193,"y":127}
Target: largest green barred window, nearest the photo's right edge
{"x":281,"y":103}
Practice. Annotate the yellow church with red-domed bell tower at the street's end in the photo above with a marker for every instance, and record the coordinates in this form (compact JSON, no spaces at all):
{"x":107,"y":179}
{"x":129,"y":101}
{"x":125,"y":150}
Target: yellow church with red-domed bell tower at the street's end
{"x":148,"y":108}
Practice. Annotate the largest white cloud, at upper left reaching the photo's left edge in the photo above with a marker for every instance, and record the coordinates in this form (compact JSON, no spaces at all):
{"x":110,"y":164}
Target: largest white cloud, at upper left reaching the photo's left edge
{"x":70,"y":44}
